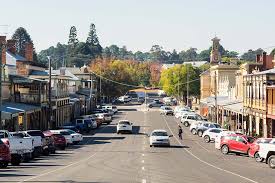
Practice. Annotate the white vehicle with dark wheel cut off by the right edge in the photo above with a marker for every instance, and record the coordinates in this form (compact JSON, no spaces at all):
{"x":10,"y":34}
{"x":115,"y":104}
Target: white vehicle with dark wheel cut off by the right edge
{"x":267,"y":152}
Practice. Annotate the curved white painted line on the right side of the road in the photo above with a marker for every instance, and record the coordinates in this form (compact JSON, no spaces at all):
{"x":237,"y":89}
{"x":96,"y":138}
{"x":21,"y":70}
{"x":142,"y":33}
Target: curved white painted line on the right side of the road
{"x":209,"y":164}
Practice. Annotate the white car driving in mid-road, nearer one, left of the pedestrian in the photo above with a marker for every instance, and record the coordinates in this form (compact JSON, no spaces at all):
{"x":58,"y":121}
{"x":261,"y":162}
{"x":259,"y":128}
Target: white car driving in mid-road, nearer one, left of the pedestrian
{"x":159,"y":138}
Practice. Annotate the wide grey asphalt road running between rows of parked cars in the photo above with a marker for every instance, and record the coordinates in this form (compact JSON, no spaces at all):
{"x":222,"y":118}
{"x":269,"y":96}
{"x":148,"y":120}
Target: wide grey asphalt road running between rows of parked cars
{"x":107,"y":157}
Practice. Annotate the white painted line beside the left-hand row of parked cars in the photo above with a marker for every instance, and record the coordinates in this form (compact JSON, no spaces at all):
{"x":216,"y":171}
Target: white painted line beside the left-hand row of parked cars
{"x":72,"y":164}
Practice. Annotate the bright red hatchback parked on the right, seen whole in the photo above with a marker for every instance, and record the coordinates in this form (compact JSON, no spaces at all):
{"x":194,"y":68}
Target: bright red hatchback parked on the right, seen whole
{"x":236,"y":143}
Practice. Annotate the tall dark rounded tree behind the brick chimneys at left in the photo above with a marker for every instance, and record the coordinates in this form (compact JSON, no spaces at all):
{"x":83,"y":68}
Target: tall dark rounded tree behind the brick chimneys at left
{"x":22,"y":37}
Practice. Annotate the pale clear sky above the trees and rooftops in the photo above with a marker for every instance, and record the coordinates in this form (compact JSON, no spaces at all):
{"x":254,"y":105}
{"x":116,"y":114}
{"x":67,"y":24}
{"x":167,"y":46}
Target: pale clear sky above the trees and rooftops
{"x":139,"y":24}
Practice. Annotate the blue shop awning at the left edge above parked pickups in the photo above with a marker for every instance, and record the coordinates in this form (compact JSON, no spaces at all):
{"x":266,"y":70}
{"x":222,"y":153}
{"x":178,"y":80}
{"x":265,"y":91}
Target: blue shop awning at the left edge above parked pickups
{"x":10,"y":109}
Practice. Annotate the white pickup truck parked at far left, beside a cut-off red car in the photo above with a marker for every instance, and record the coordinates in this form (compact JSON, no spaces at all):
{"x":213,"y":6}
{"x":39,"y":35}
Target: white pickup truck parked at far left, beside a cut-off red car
{"x":20,"y":147}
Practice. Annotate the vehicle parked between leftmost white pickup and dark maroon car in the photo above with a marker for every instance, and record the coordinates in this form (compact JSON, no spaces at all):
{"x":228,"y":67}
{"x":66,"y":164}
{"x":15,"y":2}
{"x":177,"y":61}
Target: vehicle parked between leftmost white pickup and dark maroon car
{"x":40,"y":144}
